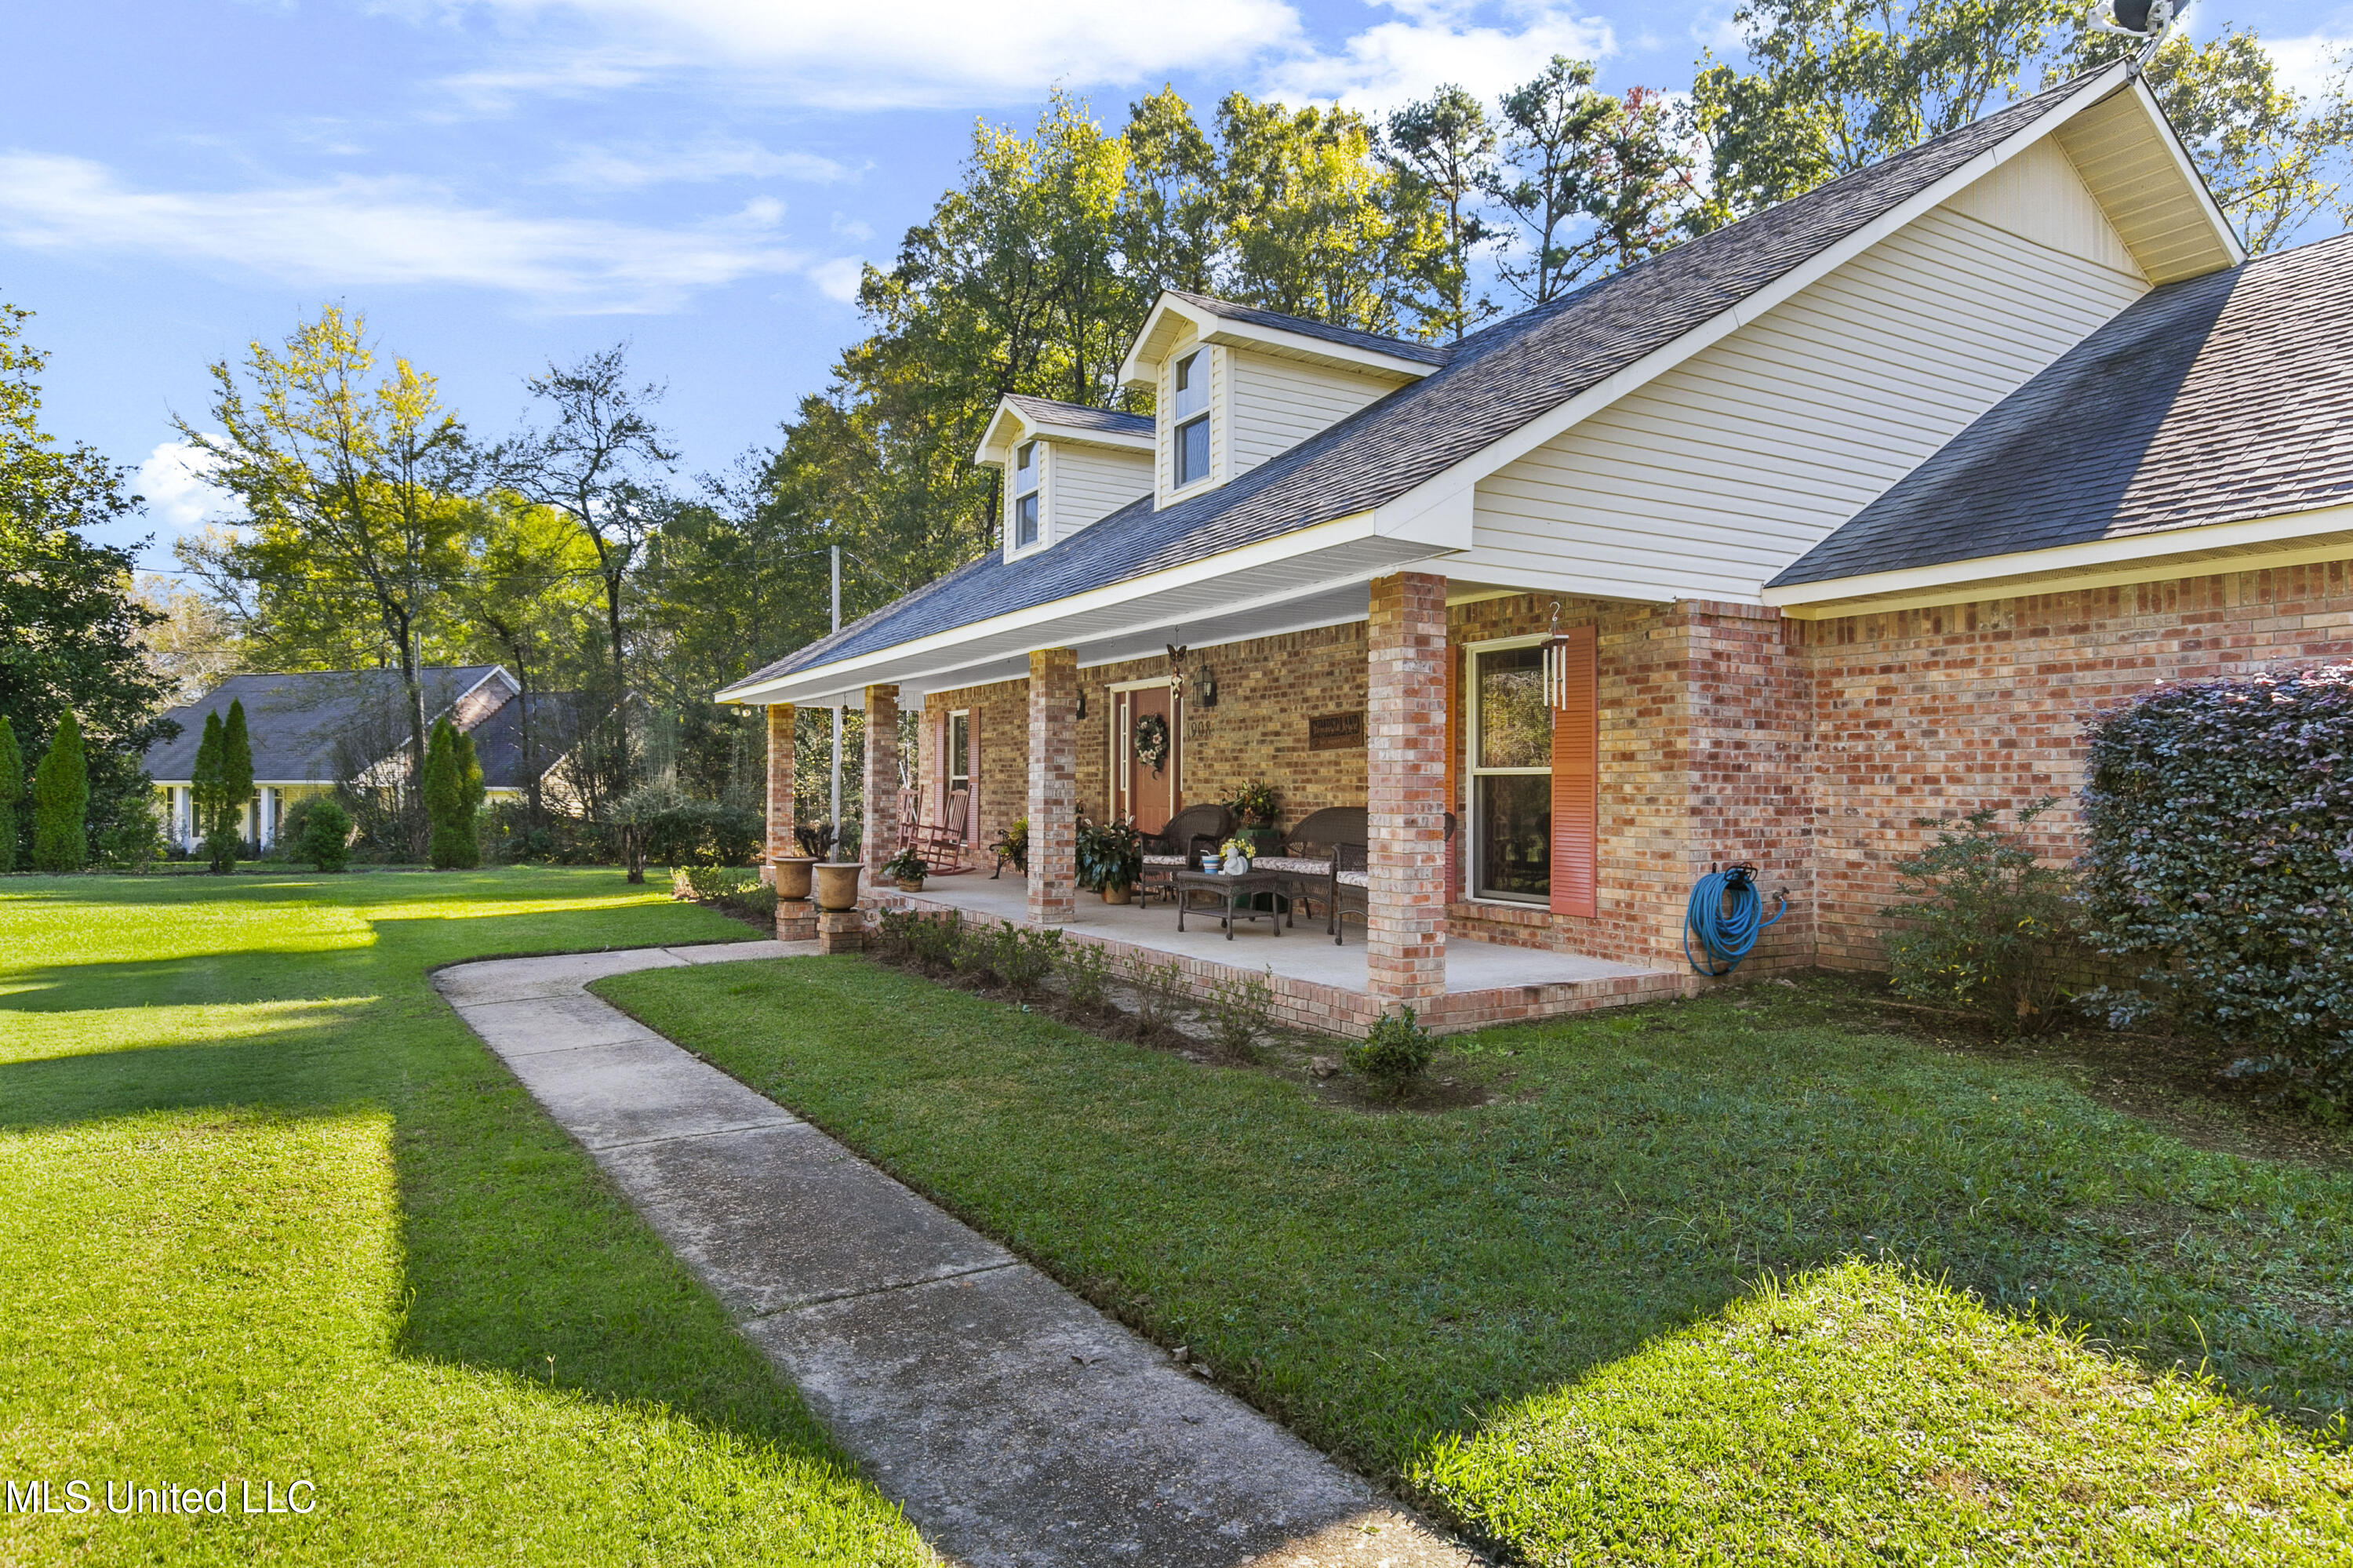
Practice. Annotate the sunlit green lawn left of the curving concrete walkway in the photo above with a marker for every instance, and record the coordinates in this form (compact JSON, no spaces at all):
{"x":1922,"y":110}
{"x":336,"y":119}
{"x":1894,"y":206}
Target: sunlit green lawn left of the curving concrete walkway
{"x":269,"y":1214}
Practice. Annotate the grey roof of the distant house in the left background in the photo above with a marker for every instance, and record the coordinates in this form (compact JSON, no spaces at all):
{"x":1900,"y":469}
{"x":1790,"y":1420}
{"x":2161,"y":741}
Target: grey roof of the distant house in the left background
{"x":309,"y":729}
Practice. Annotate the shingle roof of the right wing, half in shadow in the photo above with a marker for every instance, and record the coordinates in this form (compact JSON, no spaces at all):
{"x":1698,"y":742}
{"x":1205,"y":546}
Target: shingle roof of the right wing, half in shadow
{"x":2208,"y":401}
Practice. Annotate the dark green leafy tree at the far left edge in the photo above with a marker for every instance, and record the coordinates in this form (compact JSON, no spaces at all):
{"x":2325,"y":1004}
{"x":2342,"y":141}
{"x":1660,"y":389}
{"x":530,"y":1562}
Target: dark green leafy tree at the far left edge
{"x":69,"y":625}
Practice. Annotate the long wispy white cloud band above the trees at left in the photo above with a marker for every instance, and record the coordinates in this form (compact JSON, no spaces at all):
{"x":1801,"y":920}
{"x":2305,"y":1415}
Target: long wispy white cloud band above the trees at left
{"x":359,"y":232}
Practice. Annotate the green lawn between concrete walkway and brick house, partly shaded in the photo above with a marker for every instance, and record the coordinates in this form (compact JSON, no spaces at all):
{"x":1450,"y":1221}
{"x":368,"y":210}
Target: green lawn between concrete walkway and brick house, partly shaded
{"x":1545,"y":1315}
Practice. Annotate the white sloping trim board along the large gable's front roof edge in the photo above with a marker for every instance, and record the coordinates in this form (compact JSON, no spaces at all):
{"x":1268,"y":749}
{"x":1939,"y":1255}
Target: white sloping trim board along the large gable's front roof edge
{"x":1453,"y":489}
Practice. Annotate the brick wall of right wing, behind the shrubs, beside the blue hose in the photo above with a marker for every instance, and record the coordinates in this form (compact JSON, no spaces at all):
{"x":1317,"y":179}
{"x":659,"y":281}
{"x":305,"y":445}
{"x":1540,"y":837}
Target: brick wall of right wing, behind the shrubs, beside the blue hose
{"x":1938,"y":712}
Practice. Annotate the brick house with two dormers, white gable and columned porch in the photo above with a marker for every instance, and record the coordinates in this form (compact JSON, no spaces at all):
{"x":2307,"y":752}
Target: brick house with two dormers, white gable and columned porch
{"x":1846,"y":512}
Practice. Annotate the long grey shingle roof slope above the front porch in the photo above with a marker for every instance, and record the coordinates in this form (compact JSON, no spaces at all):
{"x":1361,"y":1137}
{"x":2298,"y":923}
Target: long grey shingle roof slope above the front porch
{"x":1491,"y":385}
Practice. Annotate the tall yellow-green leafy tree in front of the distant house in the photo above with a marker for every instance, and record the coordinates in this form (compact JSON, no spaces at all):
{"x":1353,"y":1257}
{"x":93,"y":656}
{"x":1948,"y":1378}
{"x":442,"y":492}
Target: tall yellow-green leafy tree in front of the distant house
{"x":352,"y":498}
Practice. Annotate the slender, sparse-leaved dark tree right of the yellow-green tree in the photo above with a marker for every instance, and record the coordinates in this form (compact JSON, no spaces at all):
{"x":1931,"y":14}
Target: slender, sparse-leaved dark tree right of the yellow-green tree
{"x":601,"y":463}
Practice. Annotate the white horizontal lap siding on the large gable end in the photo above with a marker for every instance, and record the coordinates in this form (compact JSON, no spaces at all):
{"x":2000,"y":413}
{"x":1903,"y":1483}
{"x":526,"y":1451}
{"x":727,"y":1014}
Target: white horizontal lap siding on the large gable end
{"x":1733,"y":465}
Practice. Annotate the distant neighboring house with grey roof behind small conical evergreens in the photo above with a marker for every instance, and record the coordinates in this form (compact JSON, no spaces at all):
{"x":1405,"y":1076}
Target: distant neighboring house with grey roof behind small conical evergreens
{"x":324,"y":729}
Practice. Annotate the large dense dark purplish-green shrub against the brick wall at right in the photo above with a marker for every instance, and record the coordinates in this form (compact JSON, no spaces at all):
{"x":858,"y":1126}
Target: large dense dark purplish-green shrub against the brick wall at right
{"x":2222,"y":856}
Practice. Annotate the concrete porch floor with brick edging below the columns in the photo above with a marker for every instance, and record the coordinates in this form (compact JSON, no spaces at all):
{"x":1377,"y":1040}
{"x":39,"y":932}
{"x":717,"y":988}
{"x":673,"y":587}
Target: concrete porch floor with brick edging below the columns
{"x":1317,"y":985}
